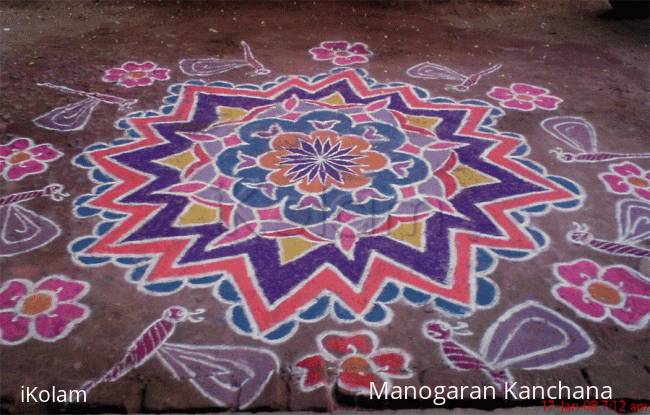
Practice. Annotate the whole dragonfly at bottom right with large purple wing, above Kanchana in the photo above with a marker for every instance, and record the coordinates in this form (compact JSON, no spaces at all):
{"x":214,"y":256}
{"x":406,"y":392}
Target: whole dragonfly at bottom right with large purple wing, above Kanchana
{"x":527,"y":336}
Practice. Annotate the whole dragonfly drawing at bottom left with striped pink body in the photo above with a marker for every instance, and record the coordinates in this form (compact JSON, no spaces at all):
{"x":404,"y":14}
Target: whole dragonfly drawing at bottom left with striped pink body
{"x":232,"y":376}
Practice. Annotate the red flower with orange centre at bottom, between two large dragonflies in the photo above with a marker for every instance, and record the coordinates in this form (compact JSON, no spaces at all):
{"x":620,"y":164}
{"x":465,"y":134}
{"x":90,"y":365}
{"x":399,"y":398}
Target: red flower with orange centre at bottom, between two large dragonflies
{"x":353,"y":361}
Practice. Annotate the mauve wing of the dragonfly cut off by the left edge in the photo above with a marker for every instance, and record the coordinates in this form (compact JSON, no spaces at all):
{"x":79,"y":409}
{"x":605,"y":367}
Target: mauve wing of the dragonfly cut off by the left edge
{"x":22,"y":230}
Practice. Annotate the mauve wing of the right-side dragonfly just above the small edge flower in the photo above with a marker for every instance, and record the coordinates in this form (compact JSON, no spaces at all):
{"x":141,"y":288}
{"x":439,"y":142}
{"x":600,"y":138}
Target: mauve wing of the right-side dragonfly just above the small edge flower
{"x":573,"y":131}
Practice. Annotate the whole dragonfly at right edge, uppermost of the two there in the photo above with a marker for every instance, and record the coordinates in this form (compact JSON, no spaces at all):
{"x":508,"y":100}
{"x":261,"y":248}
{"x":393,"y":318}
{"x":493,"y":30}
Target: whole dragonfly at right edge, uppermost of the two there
{"x":579,"y":134}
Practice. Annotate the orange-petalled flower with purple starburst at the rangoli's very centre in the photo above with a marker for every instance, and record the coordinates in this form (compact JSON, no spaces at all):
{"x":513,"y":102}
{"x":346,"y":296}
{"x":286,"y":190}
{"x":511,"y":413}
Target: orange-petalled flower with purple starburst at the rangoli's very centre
{"x":320,"y":160}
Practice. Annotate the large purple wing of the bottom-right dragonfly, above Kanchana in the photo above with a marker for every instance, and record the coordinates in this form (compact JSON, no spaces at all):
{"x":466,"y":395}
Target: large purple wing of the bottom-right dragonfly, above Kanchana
{"x":531,"y":336}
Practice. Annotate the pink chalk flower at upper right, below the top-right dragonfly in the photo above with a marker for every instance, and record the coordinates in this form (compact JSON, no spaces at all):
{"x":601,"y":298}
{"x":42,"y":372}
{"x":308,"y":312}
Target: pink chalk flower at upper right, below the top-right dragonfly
{"x":524,"y":97}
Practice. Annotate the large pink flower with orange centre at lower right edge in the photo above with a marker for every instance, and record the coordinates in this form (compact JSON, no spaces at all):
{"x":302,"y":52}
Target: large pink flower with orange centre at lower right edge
{"x":617,"y":292}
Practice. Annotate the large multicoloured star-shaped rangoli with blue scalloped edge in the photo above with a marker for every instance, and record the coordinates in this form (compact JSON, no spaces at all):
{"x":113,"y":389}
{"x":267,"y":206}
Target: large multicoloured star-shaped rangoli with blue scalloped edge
{"x":311,"y":197}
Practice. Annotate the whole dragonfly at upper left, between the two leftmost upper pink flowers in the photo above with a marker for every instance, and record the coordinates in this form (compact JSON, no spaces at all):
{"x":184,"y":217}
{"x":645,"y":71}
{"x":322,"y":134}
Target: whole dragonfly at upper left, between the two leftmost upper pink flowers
{"x":75,"y":116}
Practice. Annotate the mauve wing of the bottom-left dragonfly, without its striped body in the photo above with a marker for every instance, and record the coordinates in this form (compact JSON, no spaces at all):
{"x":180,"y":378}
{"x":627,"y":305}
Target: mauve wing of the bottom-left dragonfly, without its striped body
{"x":228,"y":375}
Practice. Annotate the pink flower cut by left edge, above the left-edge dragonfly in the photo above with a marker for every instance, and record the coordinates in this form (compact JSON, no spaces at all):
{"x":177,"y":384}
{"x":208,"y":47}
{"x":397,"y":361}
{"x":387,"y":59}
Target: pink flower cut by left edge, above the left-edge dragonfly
{"x":21,"y":158}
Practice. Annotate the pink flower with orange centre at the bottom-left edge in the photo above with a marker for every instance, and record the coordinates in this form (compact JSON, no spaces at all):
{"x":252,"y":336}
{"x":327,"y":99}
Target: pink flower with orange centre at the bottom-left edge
{"x":46,"y":311}
